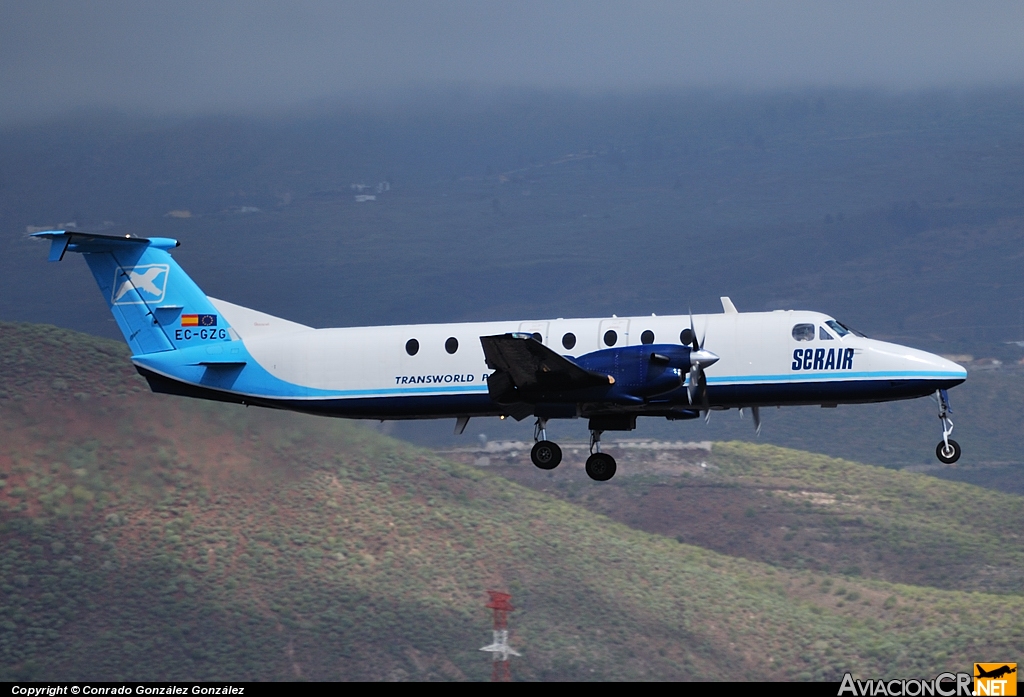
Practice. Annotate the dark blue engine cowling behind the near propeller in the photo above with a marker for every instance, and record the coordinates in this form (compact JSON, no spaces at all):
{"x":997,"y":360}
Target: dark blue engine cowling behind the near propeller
{"x":641,"y":372}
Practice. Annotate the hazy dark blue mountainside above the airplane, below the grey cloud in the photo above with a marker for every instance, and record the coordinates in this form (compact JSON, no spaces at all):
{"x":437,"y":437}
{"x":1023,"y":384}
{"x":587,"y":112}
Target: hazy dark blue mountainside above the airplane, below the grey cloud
{"x":900,"y":213}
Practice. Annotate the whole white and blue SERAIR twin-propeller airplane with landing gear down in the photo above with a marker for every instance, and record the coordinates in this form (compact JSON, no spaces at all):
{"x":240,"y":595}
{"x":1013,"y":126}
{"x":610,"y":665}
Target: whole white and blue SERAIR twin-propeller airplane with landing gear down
{"x":610,"y":371}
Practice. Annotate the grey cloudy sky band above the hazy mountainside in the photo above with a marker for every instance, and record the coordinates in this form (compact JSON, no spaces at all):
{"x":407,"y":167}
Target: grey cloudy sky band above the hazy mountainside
{"x":181,"y":57}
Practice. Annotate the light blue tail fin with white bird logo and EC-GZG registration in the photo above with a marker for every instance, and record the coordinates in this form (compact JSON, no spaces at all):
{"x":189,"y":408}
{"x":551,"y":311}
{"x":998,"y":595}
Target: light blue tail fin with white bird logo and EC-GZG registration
{"x":154,"y":301}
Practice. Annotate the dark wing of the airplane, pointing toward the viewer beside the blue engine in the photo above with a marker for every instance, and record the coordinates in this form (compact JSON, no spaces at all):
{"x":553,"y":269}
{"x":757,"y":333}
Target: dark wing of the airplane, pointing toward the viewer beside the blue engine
{"x":533,"y":368}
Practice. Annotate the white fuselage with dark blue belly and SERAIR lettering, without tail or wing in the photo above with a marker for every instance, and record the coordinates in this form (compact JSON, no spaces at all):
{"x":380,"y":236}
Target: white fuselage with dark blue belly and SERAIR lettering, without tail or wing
{"x":370,"y":373}
